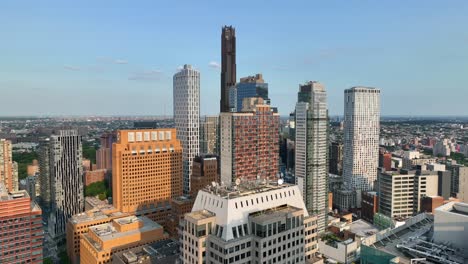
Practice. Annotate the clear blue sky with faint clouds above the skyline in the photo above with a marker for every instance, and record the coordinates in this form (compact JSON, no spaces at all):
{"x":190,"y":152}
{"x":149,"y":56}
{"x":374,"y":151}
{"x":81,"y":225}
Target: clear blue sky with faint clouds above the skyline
{"x":118,"y":57}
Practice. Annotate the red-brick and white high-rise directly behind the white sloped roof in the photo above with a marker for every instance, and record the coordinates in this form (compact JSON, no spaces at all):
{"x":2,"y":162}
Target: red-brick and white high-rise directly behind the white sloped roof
{"x":250,"y":143}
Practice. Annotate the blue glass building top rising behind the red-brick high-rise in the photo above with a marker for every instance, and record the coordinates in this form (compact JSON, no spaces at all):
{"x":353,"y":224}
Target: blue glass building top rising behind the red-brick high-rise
{"x":251,"y":86}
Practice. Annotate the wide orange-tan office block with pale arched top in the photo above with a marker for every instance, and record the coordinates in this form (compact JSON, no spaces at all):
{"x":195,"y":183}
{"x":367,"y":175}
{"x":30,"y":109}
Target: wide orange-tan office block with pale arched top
{"x":147,"y":172}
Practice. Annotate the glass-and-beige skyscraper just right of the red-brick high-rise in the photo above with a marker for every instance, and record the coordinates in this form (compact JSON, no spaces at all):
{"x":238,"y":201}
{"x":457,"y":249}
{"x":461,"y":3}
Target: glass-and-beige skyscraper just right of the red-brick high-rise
{"x":312,"y":150}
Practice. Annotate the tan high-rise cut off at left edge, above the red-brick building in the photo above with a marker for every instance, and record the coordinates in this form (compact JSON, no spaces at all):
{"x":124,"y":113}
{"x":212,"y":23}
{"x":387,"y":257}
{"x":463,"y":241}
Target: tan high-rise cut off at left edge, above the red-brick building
{"x":8,"y":168}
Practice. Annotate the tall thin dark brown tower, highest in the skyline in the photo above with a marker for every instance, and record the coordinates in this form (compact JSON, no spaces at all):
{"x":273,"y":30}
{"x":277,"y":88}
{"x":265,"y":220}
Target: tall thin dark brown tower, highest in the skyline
{"x":228,"y":65}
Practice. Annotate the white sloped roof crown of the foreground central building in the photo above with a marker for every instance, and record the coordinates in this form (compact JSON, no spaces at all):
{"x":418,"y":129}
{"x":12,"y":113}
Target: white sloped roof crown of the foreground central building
{"x":232,"y":208}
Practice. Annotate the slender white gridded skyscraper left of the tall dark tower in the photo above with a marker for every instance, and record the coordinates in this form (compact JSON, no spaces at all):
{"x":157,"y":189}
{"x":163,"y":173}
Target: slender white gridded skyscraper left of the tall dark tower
{"x":187,"y":117}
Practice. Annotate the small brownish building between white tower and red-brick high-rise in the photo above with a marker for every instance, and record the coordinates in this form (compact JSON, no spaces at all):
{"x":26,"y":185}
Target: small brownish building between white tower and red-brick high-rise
{"x":209,"y":139}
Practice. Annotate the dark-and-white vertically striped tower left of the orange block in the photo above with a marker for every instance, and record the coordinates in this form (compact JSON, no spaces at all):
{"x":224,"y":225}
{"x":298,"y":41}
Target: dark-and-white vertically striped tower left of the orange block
{"x":64,"y":177}
